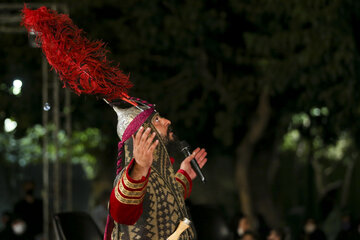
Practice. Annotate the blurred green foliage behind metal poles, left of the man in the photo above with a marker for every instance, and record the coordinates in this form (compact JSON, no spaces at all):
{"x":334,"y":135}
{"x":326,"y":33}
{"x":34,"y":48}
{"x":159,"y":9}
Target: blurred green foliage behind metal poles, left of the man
{"x":28,"y":149}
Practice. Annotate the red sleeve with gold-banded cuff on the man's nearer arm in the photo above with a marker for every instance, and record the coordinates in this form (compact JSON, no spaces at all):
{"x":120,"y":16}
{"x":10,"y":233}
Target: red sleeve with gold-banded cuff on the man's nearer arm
{"x":126,"y":200}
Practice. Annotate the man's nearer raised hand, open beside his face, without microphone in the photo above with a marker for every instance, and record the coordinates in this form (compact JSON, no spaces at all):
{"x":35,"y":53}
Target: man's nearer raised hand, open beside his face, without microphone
{"x":143,"y":149}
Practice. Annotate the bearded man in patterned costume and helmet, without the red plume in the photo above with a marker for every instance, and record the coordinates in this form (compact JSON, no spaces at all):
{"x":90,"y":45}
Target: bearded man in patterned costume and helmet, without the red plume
{"x":147,"y":201}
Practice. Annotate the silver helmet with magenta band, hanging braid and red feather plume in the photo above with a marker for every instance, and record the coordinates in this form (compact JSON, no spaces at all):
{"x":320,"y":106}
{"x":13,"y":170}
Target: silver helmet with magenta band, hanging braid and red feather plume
{"x":83,"y":66}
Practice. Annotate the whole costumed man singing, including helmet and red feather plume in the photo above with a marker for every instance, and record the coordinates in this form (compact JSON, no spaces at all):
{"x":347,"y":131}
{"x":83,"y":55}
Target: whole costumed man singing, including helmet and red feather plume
{"x":147,"y":201}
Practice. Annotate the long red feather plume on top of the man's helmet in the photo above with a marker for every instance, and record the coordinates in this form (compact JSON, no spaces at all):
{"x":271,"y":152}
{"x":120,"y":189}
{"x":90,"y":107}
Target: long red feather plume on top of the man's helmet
{"x":81,"y":63}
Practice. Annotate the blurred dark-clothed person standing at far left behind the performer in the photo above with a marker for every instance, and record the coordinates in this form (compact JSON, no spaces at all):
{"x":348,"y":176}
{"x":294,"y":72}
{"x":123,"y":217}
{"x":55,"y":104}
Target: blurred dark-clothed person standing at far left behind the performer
{"x":29,"y":213}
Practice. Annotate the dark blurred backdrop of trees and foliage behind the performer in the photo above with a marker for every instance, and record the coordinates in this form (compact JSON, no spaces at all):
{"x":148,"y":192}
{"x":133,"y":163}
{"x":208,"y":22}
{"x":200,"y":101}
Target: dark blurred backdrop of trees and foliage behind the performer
{"x":269,"y":88}
